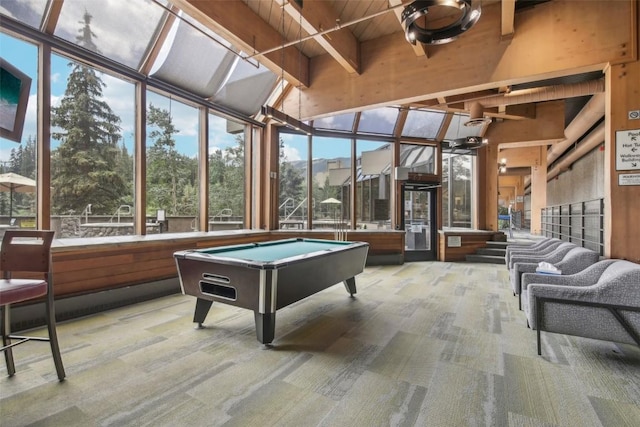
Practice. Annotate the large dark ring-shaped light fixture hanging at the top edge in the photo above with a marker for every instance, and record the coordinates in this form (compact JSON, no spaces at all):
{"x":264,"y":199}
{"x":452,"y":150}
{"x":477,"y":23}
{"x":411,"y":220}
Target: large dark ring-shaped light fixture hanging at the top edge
{"x":468,"y":15}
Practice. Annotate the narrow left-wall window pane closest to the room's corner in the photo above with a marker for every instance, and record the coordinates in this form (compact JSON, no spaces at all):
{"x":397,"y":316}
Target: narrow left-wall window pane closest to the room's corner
{"x":226,"y":173}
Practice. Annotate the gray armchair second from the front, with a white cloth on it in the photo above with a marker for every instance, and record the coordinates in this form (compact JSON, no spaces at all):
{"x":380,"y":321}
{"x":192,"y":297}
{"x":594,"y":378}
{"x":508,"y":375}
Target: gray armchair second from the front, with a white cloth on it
{"x":568,"y":259}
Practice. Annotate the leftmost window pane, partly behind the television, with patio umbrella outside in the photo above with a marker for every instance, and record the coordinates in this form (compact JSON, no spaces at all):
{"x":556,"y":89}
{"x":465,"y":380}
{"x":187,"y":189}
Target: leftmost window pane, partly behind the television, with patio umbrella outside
{"x":18,"y":158}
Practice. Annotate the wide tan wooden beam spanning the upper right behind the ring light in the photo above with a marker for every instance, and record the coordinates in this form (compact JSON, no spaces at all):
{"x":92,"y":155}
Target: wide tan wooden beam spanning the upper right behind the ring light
{"x":392,"y":75}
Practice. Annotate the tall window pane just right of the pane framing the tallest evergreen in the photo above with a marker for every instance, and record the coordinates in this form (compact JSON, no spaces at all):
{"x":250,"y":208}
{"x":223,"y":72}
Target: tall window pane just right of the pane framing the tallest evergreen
{"x":172,"y":163}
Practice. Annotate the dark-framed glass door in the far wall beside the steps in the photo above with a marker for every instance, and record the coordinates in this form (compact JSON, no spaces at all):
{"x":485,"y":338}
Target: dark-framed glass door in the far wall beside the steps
{"x":419,"y":221}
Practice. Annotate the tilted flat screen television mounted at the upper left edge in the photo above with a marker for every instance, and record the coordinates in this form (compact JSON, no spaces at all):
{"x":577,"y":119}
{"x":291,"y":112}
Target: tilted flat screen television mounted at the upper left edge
{"x":14,"y":97}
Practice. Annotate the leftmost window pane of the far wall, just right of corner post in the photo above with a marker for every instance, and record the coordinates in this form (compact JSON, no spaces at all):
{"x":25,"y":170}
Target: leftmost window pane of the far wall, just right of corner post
{"x":293,"y":206}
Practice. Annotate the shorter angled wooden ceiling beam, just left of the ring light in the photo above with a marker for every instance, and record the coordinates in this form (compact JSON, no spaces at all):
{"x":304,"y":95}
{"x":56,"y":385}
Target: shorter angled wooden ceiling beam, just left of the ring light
{"x":316,"y":16}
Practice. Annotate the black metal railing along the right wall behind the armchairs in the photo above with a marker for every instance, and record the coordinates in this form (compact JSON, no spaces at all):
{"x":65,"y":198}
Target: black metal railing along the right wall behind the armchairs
{"x":581,"y":223}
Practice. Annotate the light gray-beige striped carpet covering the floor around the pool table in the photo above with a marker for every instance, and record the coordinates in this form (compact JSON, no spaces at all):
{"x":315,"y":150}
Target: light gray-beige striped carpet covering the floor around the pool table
{"x":423,"y":344}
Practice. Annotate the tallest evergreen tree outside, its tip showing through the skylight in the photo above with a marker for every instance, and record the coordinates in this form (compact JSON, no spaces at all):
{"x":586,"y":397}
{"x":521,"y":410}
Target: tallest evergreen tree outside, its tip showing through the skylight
{"x":85,"y":170}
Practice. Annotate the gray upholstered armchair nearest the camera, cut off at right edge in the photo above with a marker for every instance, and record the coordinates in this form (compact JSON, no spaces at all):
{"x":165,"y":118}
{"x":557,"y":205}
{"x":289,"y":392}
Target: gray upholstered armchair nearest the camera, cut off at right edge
{"x":601,"y":302}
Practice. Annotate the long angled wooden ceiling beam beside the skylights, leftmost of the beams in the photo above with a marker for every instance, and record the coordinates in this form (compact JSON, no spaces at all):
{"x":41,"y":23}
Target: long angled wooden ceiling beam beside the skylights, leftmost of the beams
{"x":243,"y":28}
